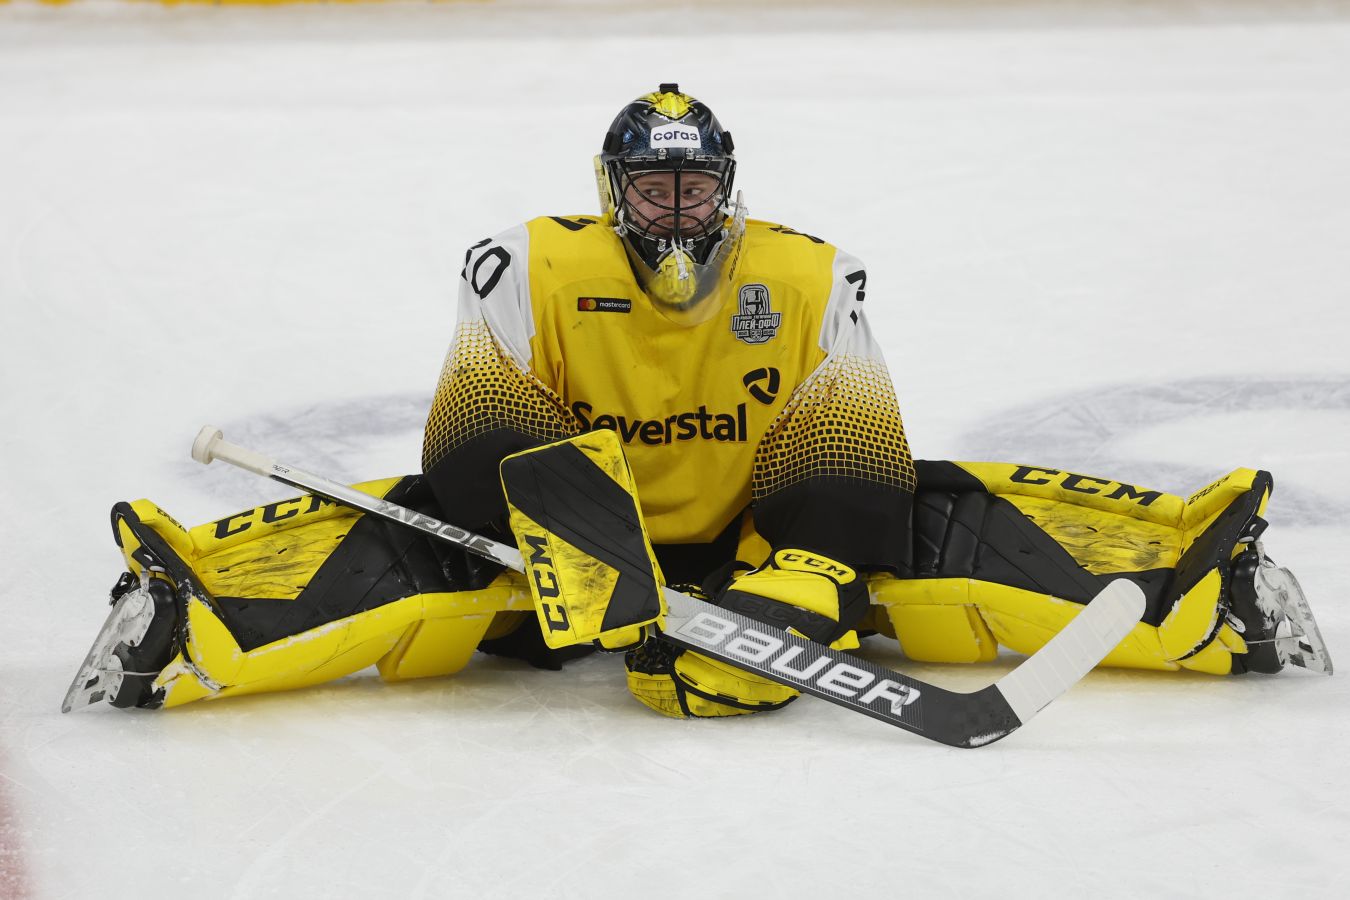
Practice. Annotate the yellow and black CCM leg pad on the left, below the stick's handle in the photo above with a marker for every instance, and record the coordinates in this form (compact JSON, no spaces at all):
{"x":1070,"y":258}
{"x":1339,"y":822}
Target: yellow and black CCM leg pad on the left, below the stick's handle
{"x":303,"y":592}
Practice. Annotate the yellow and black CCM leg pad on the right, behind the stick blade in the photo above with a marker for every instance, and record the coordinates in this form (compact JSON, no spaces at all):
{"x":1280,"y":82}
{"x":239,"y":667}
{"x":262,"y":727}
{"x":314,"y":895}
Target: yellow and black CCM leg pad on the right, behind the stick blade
{"x":1020,"y":550}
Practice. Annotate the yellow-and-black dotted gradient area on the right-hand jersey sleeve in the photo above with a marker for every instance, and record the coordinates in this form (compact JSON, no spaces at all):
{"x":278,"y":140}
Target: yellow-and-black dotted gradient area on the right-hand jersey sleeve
{"x":842,"y":423}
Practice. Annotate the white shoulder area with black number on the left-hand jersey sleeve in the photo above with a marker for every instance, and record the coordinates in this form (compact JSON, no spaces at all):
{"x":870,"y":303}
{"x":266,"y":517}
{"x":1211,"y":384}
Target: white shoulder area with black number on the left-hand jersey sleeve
{"x":495,"y":289}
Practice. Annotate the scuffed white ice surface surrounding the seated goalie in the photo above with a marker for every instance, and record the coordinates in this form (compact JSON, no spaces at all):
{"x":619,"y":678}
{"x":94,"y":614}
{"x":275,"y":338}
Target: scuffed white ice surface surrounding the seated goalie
{"x":1113,"y":242}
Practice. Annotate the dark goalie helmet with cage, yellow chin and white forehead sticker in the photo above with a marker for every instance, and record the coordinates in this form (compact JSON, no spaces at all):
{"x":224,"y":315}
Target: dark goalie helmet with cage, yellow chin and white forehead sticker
{"x":666,"y":175}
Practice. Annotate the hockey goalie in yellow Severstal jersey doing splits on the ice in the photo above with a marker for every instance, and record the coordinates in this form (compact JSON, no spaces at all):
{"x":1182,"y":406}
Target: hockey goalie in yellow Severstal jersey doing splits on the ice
{"x":734,"y":364}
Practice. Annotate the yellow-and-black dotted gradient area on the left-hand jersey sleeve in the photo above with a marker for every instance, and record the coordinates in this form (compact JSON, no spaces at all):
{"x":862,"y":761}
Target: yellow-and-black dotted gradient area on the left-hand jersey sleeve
{"x":481,"y":391}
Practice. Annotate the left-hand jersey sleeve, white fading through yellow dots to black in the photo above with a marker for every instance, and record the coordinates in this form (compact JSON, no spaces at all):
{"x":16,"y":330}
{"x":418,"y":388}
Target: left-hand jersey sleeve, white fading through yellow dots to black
{"x":489,"y":401}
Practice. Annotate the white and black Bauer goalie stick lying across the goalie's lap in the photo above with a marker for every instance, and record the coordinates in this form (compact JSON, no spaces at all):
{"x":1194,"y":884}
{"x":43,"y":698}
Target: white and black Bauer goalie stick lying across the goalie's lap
{"x":948,"y":717}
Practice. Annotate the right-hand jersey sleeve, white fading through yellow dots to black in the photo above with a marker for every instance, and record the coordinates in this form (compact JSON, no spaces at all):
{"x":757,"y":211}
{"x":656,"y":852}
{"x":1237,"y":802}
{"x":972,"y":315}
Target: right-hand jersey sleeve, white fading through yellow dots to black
{"x":834,"y":474}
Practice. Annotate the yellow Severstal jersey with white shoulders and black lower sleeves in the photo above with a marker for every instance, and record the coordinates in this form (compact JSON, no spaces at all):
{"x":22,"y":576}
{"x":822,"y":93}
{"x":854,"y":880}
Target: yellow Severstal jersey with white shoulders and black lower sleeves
{"x":781,"y":385}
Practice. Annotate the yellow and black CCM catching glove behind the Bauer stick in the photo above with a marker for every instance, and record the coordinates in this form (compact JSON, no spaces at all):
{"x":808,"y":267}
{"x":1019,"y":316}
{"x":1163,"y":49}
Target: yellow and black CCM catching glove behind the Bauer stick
{"x":800,"y":592}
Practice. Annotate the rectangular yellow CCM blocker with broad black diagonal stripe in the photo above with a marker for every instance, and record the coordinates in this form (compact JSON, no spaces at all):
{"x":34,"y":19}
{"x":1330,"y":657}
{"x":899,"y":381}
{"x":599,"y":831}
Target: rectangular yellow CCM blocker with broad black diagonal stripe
{"x":588,"y":557}
